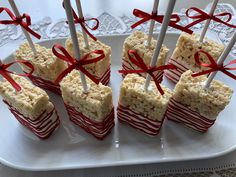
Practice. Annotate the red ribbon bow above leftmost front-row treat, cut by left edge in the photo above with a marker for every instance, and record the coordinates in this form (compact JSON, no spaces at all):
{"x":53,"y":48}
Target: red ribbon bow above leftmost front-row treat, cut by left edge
{"x":6,"y":73}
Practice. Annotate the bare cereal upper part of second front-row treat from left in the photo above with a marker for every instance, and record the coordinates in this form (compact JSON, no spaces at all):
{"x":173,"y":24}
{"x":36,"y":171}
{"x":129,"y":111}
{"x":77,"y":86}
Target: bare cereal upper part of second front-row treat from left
{"x":96,"y":104}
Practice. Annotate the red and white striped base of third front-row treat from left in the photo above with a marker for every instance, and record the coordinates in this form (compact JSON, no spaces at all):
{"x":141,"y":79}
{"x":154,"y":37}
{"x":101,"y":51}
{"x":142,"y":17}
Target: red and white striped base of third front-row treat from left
{"x":139,"y":121}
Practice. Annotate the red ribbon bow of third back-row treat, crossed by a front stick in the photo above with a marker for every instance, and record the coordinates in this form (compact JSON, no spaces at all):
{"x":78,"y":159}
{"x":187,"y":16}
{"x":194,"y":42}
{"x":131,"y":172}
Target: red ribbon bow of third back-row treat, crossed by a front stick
{"x":158,"y":18}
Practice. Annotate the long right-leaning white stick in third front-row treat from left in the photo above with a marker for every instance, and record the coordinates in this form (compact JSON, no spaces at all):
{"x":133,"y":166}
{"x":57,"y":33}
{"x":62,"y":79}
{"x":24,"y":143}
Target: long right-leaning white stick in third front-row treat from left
{"x":160,"y":40}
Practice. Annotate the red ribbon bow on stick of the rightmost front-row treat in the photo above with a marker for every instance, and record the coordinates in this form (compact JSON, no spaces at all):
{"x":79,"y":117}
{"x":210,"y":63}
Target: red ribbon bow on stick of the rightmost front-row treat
{"x":213,"y":65}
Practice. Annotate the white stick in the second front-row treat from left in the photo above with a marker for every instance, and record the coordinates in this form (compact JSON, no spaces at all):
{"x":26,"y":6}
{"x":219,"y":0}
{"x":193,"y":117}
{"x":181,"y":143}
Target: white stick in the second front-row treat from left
{"x":74,"y":38}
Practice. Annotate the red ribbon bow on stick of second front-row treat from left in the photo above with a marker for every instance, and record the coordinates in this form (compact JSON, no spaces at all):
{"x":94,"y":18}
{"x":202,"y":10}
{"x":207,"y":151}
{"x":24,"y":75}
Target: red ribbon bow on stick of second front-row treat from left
{"x":76,"y":64}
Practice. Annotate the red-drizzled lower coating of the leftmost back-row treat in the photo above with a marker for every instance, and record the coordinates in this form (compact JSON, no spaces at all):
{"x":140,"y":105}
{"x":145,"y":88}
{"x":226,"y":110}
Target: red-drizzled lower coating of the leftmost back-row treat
{"x":45,"y":84}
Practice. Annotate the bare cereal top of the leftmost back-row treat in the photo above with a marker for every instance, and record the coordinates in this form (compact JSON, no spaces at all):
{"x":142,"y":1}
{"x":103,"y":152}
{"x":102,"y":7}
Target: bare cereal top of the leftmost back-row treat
{"x":46,"y":65}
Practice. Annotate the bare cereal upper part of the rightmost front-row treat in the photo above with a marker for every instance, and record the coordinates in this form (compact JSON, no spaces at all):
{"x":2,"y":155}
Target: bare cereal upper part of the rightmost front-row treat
{"x":209,"y":103}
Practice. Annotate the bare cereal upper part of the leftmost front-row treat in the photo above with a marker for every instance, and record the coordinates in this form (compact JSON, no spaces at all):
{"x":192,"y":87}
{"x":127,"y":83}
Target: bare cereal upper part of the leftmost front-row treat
{"x":31,"y":101}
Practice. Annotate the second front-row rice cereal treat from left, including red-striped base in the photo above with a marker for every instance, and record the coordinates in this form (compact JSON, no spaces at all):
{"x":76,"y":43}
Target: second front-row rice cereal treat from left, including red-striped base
{"x":93,"y":111}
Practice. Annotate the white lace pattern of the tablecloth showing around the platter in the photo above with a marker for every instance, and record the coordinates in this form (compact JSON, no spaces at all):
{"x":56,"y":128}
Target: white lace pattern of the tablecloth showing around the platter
{"x":110,"y":25}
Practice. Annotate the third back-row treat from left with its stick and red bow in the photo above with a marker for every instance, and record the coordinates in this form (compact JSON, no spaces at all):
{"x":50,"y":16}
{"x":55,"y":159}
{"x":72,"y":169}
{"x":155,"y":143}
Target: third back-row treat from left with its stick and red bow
{"x":145,"y":44}
